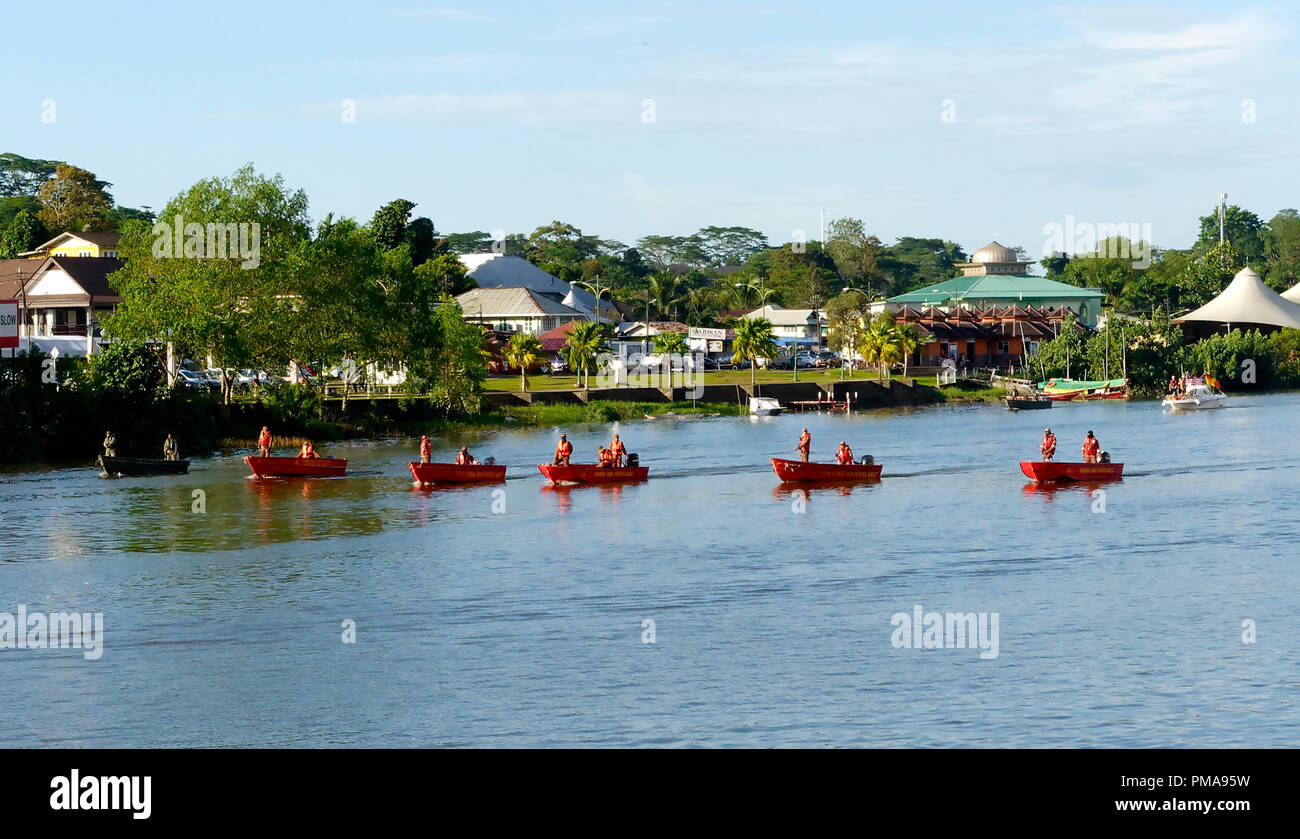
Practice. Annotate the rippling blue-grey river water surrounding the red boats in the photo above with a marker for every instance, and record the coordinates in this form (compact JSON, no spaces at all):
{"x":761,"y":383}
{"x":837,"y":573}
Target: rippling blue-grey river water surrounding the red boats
{"x":1121,"y":616}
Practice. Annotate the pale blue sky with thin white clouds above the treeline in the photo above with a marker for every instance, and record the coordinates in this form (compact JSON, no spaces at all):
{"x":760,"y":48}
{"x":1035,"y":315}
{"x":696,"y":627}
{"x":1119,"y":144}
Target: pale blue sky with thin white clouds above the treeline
{"x":506,"y":116}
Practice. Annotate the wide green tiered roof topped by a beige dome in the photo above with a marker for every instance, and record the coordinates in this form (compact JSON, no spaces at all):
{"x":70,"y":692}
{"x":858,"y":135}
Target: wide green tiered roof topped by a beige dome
{"x":996,"y":278}
